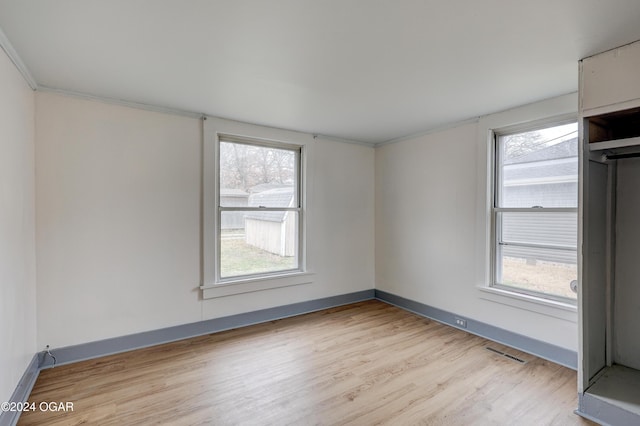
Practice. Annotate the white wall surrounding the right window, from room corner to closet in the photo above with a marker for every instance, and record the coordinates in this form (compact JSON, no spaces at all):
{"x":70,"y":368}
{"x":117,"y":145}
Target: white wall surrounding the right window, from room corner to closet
{"x":431,"y":226}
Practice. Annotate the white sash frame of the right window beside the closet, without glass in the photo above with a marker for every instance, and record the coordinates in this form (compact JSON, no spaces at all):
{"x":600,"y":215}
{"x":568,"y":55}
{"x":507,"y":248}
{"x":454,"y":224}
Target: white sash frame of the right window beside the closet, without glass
{"x":495,"y":210}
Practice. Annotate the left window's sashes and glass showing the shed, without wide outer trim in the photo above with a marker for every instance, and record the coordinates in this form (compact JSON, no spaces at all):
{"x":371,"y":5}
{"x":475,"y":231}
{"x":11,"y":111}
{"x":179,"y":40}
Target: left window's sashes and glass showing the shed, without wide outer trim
{"x":259,"y":208}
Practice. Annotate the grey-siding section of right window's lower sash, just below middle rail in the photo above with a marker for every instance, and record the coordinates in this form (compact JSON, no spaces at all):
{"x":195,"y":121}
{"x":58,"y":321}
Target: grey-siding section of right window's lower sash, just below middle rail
{"x":550,"y":229}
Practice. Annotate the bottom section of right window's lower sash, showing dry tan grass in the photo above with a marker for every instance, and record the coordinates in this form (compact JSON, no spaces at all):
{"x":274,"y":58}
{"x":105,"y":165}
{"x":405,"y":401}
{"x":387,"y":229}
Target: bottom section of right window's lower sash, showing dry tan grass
{"x":531,"y":270}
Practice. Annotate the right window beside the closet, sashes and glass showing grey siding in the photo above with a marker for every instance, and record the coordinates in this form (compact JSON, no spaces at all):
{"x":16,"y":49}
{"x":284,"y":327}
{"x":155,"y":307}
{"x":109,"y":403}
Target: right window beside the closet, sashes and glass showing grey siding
{"x":534,"y":212}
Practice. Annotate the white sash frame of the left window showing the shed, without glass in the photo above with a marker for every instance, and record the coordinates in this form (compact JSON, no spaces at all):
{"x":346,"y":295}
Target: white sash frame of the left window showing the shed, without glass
{"x":299,"y":196}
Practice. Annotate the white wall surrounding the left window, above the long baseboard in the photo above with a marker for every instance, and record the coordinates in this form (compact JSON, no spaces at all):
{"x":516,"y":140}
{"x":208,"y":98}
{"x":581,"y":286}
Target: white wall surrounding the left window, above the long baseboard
{"x":118,"y":223}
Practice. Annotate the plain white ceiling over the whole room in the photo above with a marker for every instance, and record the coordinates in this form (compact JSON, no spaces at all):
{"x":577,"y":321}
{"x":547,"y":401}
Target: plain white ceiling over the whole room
{"x":365,"y":70}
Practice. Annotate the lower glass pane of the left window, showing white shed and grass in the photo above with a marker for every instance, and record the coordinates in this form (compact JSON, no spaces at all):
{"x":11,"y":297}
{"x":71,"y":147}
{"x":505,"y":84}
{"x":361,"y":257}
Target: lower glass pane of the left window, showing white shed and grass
{"x":255,"y":242}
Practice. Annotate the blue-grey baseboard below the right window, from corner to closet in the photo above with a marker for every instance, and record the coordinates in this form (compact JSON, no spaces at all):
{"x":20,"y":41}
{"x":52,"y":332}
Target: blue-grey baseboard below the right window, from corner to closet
{"x":541,"y":349}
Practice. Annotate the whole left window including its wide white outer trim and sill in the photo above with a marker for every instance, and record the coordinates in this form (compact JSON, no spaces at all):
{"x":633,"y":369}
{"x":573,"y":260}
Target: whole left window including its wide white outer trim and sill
{"x":254,"y":208}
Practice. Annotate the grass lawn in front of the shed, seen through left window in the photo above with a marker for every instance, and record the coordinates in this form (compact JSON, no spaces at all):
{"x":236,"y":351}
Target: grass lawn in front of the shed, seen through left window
{"x":240,"y":258}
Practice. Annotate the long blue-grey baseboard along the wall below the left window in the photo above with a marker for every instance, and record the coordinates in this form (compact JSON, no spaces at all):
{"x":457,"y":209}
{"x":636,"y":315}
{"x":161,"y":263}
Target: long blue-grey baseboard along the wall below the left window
{"x":76,"y":353}
